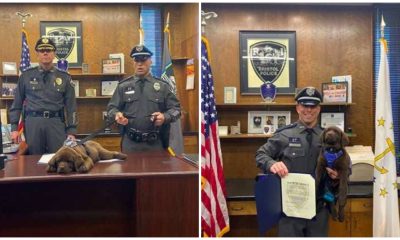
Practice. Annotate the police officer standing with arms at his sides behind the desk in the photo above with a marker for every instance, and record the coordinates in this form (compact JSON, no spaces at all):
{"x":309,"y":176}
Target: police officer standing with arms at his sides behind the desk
{"x":44,"y":93}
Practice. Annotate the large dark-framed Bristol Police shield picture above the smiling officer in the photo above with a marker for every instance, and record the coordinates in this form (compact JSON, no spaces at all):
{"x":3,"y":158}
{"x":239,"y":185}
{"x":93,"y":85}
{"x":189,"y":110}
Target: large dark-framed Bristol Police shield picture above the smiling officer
{"x":267,"y":56}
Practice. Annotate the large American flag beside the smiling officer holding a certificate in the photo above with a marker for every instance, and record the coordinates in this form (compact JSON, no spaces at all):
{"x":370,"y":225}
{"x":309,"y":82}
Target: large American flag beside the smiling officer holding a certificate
{"x":214,"y":211}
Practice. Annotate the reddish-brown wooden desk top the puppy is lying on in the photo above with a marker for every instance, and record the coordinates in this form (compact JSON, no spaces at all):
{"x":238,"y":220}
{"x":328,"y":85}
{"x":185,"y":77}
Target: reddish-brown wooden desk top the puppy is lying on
{"x":137,"y":165}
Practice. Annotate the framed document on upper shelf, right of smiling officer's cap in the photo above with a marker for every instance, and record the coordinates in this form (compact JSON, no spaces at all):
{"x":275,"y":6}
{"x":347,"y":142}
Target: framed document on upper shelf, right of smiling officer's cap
{"x":334,"y":92}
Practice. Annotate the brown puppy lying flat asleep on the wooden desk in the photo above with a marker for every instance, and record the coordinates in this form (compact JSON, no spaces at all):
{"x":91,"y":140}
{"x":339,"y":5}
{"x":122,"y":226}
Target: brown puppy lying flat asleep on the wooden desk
{"x":80,"y":157}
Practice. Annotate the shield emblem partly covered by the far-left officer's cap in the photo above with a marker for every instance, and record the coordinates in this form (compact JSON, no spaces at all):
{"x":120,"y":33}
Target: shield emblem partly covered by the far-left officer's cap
{"x":65,"y":41}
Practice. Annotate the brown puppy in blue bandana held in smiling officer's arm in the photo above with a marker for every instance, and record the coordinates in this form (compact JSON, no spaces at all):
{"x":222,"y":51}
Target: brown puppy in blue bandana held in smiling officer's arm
{"x":333,"y":155}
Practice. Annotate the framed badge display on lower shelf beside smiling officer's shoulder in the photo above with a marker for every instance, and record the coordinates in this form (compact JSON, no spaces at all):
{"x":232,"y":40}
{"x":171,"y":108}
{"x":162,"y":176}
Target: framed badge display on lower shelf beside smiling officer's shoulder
{"x":267,"y":121}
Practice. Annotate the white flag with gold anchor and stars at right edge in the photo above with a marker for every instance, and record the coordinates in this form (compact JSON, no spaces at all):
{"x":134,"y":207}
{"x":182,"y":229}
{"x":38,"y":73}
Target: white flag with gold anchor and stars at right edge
{"x":386,"y":208}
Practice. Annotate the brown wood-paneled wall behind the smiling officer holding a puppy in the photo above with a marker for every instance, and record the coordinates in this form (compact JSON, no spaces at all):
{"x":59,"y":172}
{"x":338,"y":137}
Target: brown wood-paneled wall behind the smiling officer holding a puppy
{"x":331,"y":40}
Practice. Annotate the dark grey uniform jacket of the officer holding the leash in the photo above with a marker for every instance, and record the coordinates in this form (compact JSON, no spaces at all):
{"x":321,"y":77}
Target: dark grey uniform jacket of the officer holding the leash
{"x":138,"y":98}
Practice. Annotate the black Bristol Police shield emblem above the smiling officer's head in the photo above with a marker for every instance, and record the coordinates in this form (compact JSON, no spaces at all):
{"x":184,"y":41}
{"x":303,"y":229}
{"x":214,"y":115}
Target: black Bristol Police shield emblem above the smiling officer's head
{"x":268,"y":59}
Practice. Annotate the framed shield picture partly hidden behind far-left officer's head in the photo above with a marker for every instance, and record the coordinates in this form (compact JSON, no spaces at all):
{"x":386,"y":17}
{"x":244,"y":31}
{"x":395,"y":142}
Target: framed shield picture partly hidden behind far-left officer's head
{"x":67,"y":36}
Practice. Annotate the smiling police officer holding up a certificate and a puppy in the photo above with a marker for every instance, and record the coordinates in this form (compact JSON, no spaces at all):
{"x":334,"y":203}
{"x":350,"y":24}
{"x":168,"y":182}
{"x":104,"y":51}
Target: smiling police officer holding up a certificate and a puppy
{"x":295,"y":148}
